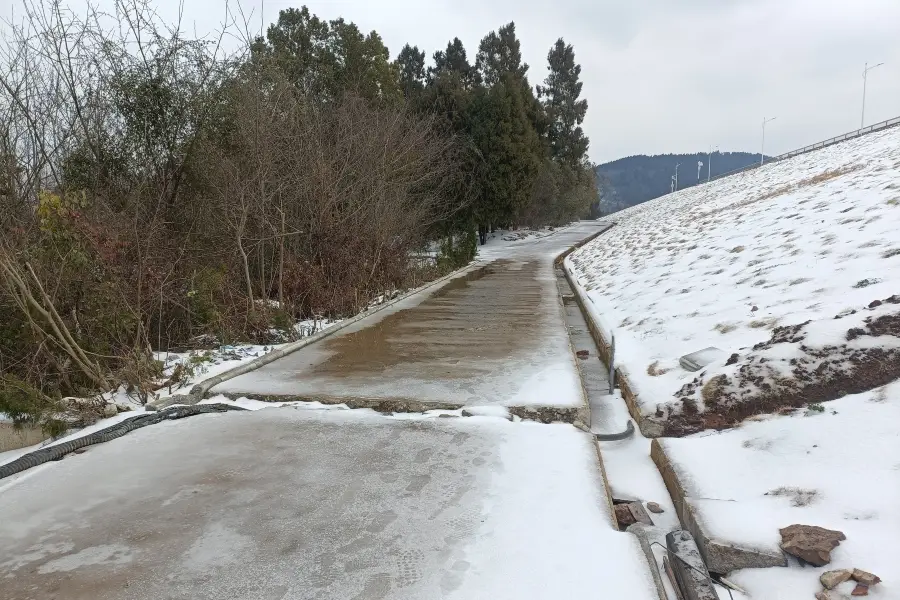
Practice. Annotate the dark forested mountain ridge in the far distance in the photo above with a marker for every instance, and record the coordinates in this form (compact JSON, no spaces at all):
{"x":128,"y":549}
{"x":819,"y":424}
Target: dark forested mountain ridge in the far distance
{"x":635,"y":179}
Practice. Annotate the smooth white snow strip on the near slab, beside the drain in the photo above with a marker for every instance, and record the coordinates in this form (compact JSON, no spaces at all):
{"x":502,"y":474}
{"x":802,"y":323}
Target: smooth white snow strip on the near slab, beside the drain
{"x":549,"y":496}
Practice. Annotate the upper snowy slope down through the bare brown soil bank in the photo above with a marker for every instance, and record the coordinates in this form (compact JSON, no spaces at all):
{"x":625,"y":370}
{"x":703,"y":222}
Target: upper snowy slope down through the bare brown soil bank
{"x":792,"y":271}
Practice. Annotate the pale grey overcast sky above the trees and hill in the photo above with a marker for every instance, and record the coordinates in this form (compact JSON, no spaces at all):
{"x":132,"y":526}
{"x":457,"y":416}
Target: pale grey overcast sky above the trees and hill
{"x":665,"y":75}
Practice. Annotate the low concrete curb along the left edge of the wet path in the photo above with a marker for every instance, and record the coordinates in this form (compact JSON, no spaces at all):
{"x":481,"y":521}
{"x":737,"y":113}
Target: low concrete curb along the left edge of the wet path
{"x":200,"y":390}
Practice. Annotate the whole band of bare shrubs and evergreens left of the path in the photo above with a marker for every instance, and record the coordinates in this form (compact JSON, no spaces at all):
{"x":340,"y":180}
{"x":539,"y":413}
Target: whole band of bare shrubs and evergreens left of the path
{"x":160,"y":190}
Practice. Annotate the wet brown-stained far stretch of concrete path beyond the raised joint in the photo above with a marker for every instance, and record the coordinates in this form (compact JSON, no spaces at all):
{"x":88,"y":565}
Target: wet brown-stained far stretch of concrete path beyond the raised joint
{"x":494,"y":336}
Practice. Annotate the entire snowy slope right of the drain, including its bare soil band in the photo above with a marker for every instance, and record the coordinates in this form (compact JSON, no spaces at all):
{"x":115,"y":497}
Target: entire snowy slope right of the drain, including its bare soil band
{"x":792,"y":273}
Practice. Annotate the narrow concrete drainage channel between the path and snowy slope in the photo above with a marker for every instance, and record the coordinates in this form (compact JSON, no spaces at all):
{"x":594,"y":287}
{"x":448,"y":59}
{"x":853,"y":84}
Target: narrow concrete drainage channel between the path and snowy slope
{"x":673,"y":556}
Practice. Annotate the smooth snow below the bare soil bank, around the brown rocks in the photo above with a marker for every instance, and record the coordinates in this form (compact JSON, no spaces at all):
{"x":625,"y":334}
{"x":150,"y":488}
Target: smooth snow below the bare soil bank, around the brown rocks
{"x":838,"y":468}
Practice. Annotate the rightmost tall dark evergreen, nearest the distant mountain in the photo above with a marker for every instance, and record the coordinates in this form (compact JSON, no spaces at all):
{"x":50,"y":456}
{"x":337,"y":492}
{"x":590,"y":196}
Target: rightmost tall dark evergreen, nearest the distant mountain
{"x":565,"y":111}
